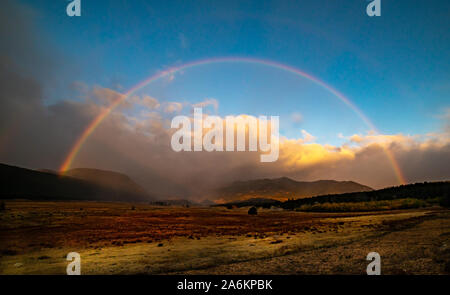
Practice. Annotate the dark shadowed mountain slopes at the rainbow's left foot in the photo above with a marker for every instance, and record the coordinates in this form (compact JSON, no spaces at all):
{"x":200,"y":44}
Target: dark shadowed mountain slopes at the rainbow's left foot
{"x":90,"y":184}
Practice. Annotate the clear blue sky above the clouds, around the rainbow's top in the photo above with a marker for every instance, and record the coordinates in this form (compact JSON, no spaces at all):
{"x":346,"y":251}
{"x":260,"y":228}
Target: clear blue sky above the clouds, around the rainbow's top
{"x":395,"y":68}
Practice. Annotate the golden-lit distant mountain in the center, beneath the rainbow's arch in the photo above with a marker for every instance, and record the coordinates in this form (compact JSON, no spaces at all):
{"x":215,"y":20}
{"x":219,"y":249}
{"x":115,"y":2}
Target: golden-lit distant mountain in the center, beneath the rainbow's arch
{"x":285,"y":188}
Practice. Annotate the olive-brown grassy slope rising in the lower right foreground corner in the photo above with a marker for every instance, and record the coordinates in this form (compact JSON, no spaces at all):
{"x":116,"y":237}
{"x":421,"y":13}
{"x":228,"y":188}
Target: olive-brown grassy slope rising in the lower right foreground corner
{"x":418,"y":246}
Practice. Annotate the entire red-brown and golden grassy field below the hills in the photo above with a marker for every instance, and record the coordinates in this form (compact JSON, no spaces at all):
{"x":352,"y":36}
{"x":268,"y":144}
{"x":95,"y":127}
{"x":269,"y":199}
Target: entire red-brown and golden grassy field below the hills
{"x":120,"y":238}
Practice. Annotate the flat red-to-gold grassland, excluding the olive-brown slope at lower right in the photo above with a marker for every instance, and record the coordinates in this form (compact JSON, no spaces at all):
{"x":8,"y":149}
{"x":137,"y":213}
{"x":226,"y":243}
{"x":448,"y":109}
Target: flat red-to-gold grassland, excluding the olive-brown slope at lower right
{"x":114,"y":239}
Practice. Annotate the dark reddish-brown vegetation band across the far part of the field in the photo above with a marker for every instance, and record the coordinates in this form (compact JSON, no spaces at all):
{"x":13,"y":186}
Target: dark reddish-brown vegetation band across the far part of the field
{"x":33,"y":225}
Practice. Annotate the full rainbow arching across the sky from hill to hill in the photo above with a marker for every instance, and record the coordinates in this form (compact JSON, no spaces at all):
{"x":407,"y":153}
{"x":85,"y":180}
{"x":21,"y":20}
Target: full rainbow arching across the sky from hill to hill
{"x":170,"y":71}
